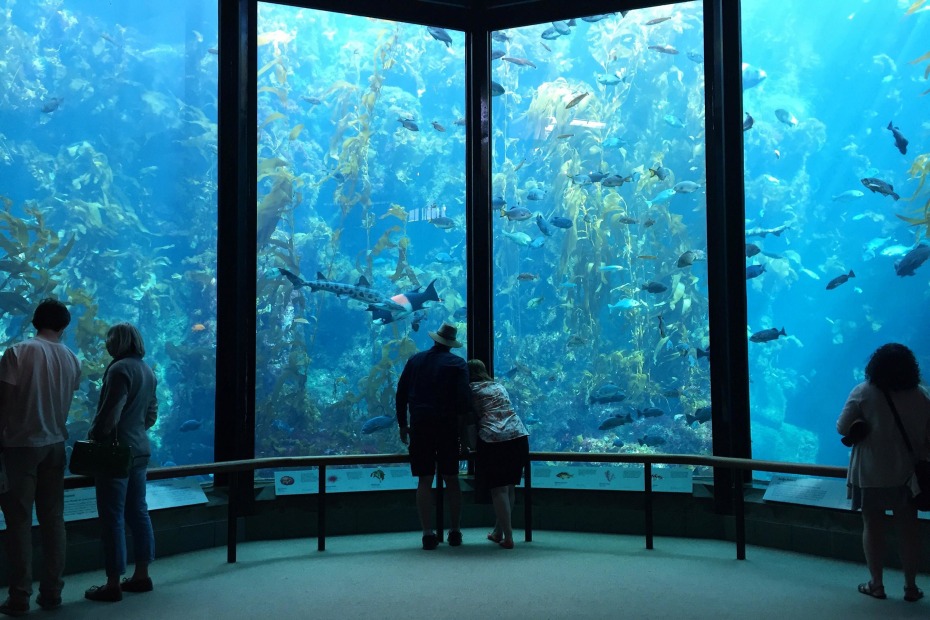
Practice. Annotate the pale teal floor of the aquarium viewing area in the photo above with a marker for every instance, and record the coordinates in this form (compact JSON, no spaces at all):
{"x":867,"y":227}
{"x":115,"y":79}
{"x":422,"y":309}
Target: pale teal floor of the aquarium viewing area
{"x":558,"y":575}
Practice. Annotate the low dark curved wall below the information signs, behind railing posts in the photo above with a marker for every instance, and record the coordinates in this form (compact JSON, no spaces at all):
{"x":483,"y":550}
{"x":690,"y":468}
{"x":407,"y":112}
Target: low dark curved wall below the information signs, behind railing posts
{"x":814,"y":531}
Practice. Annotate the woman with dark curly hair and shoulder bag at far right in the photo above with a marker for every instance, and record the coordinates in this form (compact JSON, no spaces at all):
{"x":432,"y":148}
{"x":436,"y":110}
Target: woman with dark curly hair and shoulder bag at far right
{"x":881,"y":467}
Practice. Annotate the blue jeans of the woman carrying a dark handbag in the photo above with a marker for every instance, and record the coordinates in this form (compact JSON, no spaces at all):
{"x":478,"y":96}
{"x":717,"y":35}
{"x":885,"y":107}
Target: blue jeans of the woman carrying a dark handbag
{"x":121,"y":502}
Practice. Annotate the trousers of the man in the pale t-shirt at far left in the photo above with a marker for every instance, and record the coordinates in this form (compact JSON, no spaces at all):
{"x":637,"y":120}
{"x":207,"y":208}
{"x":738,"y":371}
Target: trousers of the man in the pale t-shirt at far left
{"x":36,"y":476}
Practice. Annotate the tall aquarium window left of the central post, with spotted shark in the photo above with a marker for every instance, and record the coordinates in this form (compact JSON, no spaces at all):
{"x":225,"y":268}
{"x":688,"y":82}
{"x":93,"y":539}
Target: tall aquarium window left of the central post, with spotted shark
{"x":361,"y":221}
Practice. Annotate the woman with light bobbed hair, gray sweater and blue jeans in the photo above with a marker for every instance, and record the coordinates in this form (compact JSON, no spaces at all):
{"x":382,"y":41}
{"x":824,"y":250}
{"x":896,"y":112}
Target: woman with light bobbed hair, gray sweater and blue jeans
{"x":127,"y":407}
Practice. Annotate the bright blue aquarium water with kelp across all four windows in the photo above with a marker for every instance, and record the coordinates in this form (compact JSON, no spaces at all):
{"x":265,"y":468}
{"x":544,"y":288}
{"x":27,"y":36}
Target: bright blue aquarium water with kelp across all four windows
{"x":127,"y":164}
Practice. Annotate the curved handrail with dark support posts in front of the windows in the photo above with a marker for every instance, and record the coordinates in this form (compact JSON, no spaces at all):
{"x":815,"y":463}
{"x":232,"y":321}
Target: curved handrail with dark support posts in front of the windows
{"x":647,"y":460}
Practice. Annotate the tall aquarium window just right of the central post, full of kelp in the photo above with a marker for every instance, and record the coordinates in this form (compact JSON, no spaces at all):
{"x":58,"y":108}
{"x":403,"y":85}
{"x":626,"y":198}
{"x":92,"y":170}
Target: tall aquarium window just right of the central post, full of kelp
{"x":600,"y":274}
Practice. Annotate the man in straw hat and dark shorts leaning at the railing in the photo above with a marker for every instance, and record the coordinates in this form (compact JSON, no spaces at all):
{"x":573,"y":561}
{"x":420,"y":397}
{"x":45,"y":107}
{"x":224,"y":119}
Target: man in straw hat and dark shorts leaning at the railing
{"x":434,"y":386}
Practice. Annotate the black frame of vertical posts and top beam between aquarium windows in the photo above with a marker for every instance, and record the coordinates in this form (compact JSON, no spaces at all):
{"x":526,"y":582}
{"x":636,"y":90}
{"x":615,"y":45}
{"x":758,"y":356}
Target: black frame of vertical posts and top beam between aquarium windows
{"x":236,"y":271}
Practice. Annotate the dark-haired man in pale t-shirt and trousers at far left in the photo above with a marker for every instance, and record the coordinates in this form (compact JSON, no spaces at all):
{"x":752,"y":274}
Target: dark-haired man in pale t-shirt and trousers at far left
{"x":38,"y":378}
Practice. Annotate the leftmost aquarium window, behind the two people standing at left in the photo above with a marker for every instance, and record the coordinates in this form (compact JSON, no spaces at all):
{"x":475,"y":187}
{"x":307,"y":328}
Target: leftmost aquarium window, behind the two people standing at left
{"x":108,"y":159}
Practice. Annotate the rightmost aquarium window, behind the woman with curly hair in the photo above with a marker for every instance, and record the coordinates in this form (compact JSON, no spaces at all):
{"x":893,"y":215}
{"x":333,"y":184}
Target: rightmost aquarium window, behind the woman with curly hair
{"x":829,"y":183}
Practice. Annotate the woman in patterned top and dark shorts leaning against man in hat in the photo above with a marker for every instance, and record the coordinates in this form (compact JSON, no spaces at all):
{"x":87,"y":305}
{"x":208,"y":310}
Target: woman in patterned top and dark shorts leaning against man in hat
{"x":503,"y":447}
